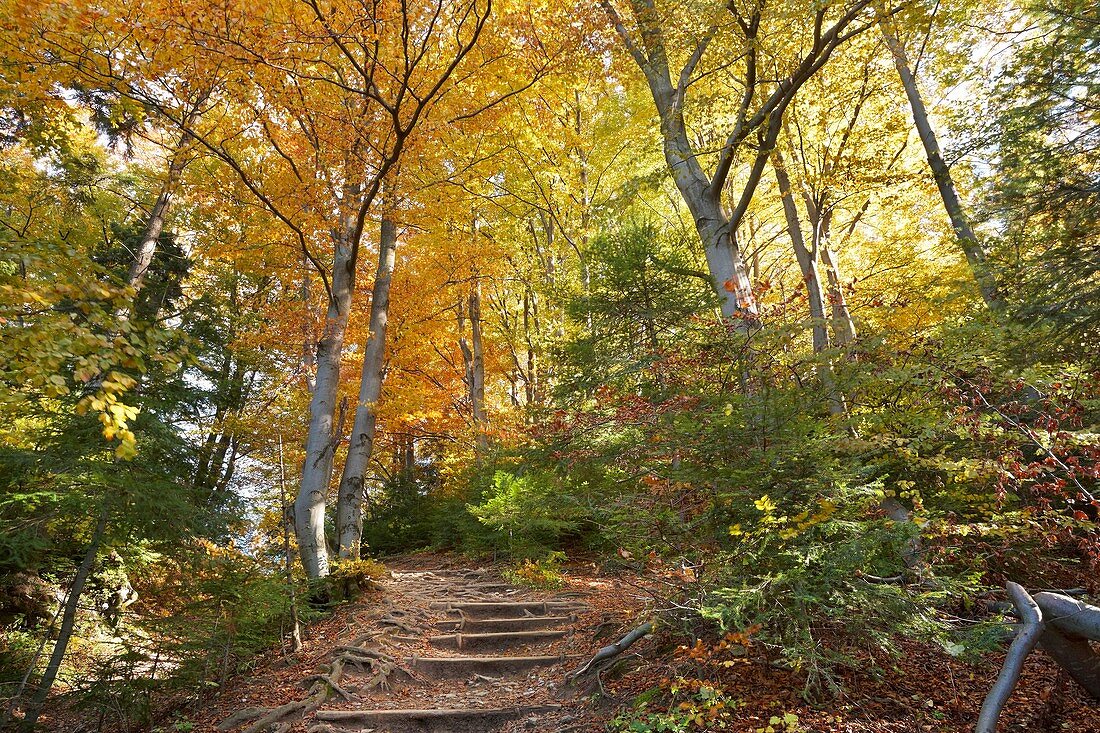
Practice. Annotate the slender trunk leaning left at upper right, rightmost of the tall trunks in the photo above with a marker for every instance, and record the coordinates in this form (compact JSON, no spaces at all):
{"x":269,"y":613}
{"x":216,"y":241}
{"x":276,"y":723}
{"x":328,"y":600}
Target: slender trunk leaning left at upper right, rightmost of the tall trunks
{"x":942,"y":173}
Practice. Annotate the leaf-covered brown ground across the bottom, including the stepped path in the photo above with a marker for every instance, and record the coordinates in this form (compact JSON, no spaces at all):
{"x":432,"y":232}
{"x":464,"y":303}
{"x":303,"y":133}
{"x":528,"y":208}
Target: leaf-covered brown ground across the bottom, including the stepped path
{"x":923,"y":691}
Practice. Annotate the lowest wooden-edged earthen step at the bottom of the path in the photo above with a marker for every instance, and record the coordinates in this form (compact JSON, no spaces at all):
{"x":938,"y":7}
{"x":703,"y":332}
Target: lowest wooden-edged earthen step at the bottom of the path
{"x":463,"y":720}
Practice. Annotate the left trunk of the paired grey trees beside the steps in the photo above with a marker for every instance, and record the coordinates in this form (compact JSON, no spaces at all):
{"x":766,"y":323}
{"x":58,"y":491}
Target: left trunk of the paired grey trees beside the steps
{"x":321,"y":439}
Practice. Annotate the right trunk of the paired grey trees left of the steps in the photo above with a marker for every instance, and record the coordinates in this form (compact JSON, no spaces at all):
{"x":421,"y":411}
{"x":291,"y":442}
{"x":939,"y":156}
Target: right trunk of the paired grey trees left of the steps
{"x":350,"y":500}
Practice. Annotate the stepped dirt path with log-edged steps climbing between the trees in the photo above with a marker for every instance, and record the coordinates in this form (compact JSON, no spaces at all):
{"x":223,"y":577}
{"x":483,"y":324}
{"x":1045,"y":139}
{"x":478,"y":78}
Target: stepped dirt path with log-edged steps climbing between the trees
{"x":459,"y":652}
